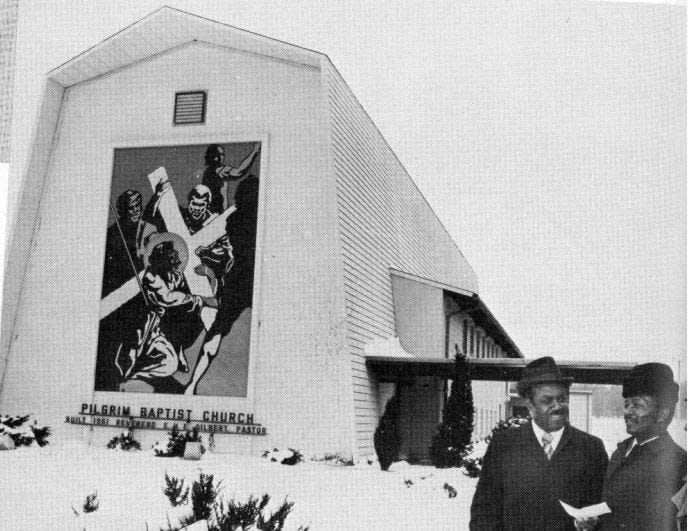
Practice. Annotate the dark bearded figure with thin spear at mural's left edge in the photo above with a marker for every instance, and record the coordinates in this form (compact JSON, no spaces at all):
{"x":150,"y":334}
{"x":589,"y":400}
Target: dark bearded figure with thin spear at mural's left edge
{"x":125,"y":242}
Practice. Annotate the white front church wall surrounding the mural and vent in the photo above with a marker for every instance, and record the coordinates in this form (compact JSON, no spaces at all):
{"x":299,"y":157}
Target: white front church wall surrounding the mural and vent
{"x":299,"y":377}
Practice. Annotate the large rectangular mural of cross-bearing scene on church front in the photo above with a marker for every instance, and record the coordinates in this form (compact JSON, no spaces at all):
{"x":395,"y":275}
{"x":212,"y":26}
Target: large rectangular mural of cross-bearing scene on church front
{"x":175,"y":312}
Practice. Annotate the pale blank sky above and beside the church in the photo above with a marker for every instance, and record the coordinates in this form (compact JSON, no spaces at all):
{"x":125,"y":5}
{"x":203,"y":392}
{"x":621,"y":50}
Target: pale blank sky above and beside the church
{"x":549,"y":138}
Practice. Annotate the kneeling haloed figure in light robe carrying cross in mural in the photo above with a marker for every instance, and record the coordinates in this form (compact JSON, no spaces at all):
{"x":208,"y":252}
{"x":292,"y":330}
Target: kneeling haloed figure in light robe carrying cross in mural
{"x":172,"y":321}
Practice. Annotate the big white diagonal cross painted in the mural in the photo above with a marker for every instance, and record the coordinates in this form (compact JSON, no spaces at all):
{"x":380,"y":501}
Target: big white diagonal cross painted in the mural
{"x":198,"y":284}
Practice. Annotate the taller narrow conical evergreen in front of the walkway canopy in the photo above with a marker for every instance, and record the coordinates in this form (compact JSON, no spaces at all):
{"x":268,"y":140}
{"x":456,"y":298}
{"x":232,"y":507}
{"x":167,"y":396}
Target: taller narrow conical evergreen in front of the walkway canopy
{"x":454,"y":433}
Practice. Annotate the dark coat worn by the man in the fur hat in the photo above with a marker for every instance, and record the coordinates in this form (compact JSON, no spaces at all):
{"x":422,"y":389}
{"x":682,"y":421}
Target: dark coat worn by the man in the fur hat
{"x":638,"y":489}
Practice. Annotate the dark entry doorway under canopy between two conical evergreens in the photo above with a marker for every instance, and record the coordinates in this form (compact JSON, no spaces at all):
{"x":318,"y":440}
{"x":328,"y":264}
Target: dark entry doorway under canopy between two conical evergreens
{"x":419,"y":416}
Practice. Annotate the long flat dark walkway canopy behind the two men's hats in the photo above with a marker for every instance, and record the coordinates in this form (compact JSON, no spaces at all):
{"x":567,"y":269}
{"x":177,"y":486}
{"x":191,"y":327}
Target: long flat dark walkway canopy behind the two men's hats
{"x":500,"y":369}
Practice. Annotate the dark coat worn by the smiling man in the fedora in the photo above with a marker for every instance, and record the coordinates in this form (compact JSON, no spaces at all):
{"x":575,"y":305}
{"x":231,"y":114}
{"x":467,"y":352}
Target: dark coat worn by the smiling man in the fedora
{"x":519,"y":489}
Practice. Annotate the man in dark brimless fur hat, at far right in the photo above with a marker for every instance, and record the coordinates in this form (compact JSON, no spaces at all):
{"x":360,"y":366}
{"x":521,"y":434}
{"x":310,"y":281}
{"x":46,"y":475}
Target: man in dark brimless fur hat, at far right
{"x":648,"y":468}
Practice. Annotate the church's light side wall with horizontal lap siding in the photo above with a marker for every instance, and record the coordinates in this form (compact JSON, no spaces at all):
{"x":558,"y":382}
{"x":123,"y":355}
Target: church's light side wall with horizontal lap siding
{"x":384,"y":222}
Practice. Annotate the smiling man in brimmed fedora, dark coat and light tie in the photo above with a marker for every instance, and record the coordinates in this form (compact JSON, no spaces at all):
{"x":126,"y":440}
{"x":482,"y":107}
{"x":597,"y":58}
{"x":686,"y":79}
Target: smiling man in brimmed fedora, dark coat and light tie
{"x":527,"y":470}
